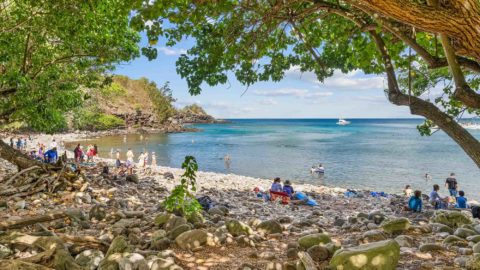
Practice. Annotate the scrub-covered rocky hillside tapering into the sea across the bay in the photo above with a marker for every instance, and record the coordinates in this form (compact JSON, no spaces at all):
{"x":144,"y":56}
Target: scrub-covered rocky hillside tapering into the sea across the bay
{"x":135,"y":103}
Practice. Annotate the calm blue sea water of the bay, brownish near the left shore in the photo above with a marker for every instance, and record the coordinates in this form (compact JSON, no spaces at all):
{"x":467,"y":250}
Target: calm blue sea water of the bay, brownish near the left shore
{"x":375,"y":154}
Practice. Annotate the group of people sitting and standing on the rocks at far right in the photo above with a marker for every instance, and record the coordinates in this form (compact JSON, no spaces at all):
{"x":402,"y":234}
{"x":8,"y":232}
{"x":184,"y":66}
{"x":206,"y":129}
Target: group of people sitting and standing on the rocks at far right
{"x":456,"y":198}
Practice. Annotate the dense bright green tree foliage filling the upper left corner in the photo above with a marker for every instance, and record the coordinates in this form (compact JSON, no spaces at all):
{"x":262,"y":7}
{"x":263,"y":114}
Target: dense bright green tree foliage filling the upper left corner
{"x":50,"y":48}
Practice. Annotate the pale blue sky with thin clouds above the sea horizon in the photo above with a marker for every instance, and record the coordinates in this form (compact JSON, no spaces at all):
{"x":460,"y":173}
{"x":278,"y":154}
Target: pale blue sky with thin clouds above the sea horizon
{"x":298,"y":95}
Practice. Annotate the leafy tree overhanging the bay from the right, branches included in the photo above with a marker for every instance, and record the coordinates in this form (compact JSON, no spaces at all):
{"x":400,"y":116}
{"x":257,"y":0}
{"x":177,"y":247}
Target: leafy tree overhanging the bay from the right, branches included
{"x":418,"y":45}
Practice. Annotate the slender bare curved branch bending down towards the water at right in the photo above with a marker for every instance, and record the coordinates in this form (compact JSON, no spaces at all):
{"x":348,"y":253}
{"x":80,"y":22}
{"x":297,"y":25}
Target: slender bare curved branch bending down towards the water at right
{"x":418,"y":106}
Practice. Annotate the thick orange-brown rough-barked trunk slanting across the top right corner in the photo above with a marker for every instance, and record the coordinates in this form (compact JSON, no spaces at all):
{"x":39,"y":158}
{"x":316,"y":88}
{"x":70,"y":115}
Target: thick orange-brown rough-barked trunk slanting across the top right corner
{"x":459,"y":20}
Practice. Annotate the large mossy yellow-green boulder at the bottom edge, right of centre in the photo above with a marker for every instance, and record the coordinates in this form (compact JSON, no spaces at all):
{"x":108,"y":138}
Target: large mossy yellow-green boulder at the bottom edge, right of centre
{"x":379,"y":255}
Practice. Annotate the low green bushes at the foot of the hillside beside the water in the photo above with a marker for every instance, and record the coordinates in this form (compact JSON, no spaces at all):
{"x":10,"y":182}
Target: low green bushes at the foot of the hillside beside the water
{"x":87,"y":120}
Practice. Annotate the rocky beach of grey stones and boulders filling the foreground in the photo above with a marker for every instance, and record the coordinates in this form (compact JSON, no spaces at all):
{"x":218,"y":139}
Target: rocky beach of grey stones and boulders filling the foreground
{"x":99,"y":221}
